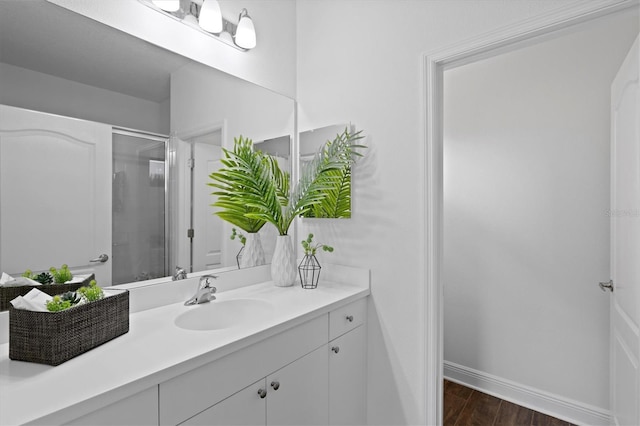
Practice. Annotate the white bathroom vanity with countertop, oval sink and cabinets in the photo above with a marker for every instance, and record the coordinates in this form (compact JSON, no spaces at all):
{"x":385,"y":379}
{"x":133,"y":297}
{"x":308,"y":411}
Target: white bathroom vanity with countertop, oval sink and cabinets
{"x":258,"y":354}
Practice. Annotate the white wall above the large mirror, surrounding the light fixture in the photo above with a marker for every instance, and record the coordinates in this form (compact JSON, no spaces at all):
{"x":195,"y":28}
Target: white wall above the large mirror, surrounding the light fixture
{"x":270,"y":64}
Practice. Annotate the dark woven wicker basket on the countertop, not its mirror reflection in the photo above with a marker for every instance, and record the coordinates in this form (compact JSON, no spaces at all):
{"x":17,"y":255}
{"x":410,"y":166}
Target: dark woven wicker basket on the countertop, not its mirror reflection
{"x":55,"y":337}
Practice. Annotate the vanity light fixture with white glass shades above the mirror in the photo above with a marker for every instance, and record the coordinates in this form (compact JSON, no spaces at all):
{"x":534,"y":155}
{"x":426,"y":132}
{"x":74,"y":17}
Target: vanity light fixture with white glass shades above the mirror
{"x":205,"y":16}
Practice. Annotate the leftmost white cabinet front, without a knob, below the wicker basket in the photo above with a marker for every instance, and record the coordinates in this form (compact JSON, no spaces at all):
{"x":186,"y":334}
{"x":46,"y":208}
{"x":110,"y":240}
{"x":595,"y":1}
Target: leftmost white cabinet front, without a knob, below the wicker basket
{"x":138,"y":409}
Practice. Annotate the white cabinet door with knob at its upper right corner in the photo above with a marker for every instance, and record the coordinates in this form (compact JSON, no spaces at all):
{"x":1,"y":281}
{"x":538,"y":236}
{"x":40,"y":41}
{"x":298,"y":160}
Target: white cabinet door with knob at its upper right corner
{"x":247,"y":407}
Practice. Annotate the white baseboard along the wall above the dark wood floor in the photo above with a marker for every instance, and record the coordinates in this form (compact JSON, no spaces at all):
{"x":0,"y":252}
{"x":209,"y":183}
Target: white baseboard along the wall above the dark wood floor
{"x":563,"y":408}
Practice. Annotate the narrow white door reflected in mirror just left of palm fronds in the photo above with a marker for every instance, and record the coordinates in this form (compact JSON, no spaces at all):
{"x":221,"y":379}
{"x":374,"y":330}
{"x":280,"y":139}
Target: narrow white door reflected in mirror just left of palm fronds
{"x":207,"y":240}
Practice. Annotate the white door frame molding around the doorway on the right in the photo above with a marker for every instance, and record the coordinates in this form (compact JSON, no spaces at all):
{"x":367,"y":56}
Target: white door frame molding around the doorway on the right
{"x":493,"y":43}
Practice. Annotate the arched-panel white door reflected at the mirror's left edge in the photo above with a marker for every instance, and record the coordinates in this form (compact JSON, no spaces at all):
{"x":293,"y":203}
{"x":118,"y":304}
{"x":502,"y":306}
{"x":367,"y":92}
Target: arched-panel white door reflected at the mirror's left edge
{"x":55,"y":193}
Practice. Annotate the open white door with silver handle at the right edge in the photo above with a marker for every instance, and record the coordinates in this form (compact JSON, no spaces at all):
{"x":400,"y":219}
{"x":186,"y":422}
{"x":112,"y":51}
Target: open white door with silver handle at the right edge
{"x":625,"y":242}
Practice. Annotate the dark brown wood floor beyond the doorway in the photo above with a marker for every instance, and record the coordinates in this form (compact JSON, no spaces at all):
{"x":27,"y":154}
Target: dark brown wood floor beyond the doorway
{"x":465,"y":407}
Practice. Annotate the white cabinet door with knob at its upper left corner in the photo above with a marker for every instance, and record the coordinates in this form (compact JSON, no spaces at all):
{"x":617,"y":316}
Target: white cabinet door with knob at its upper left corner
{"x":298,"y":393}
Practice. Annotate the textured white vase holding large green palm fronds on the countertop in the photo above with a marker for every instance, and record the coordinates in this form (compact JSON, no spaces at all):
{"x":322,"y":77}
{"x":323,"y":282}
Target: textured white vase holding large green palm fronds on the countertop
{"x":255,"y":181}
